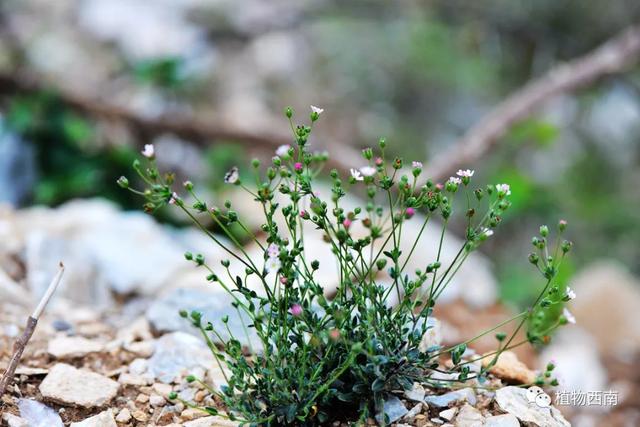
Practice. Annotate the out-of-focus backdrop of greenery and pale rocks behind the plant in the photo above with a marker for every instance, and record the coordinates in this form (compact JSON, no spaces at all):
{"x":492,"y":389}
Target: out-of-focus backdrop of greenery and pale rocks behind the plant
{"x":85,"y":84}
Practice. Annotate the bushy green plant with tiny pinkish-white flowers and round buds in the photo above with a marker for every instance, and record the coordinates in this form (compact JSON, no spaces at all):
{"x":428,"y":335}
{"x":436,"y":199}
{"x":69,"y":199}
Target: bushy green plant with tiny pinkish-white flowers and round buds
{"x":324,"y":356}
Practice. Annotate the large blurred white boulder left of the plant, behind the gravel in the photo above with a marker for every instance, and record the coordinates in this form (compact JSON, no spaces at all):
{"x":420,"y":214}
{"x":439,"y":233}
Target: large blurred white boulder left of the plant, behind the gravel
{"x":90,"y":236}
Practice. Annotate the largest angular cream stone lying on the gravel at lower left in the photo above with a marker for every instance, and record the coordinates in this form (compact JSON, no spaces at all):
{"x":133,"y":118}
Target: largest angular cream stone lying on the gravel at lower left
{"x":70,"y":386}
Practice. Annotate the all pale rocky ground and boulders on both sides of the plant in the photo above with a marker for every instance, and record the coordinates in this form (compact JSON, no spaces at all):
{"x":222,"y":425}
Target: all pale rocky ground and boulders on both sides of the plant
{"x":111,"y":346}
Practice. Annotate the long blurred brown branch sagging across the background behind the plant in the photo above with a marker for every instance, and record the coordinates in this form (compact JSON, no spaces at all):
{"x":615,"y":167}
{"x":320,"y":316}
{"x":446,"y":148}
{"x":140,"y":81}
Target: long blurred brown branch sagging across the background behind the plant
{"x":614,"y":56}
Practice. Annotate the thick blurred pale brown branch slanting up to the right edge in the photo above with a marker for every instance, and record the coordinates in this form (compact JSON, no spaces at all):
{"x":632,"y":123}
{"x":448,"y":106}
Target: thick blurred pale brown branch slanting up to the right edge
{"x":614,"y":56}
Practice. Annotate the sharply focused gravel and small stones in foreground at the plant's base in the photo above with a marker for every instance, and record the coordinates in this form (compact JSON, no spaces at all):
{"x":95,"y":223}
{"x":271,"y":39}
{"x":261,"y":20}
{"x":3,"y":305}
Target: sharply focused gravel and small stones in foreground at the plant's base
{"x":81,"y":370}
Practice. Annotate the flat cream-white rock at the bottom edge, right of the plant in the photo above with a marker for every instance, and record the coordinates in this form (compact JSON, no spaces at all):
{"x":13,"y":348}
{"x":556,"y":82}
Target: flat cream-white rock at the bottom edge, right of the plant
{"x":513,"y":400}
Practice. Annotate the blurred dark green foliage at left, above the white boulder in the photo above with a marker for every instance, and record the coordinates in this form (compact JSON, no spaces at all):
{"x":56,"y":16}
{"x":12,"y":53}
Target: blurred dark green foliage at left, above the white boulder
{"x":69,"y":163}
